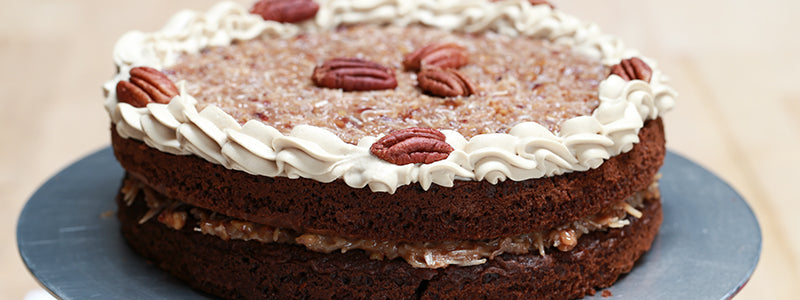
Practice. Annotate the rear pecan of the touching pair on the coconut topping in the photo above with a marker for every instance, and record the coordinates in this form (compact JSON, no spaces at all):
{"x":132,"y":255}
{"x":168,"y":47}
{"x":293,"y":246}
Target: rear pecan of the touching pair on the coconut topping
{"x":441,"y":55}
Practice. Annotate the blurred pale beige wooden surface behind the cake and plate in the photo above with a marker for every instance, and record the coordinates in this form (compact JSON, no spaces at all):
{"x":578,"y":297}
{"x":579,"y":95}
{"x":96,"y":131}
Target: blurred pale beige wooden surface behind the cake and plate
{"x":734,"y":63}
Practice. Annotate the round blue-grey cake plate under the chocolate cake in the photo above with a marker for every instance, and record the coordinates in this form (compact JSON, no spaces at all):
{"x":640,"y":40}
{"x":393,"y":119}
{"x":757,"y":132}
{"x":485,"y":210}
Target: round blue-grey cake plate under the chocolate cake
{"x":69,"y":238}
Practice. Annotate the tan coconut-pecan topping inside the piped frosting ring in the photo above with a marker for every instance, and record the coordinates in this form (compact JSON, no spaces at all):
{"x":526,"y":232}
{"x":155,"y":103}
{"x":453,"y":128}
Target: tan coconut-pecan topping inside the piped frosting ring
{"x":269,"y":79}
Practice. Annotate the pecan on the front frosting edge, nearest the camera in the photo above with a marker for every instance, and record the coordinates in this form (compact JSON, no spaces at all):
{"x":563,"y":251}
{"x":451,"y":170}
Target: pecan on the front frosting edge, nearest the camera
{"x":412,"y":145}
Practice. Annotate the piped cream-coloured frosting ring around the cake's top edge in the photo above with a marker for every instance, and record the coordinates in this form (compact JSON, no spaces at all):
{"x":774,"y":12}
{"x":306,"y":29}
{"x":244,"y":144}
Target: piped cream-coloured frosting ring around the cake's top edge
{"x":527,"y":151}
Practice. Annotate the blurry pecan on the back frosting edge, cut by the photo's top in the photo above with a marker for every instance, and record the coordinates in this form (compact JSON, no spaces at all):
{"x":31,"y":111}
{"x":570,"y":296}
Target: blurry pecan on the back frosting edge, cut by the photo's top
{"x":287,"y":11}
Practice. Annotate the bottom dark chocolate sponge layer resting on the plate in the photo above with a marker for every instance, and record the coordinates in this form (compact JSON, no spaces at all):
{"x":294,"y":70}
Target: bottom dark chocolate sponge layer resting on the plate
{"x":239,"y":269}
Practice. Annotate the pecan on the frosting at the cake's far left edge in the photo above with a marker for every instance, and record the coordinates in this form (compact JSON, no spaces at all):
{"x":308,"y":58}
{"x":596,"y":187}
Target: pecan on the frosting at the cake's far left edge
{"x":146,"y":85}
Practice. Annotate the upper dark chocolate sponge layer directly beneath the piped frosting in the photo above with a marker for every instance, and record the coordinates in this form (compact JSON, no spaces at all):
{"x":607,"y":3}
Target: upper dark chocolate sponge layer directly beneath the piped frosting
{"x":467,"y":211}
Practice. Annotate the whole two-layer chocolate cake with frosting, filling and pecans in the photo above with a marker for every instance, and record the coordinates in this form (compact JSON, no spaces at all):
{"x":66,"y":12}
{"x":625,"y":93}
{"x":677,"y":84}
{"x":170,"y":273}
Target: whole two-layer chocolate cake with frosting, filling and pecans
{"x":395,"y":149}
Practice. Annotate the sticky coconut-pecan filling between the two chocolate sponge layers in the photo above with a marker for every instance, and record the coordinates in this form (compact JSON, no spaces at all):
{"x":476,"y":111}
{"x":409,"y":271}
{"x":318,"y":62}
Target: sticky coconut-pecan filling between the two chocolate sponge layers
{"x":176,"y":215}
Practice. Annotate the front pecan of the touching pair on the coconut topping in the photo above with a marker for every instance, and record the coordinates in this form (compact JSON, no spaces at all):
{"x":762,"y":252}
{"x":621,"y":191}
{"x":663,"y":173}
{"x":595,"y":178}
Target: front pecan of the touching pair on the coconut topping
{"x":445,"y":83}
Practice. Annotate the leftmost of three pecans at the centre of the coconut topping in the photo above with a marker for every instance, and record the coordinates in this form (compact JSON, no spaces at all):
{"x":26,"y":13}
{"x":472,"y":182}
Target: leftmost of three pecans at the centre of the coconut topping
{"x":353,"y":74}
